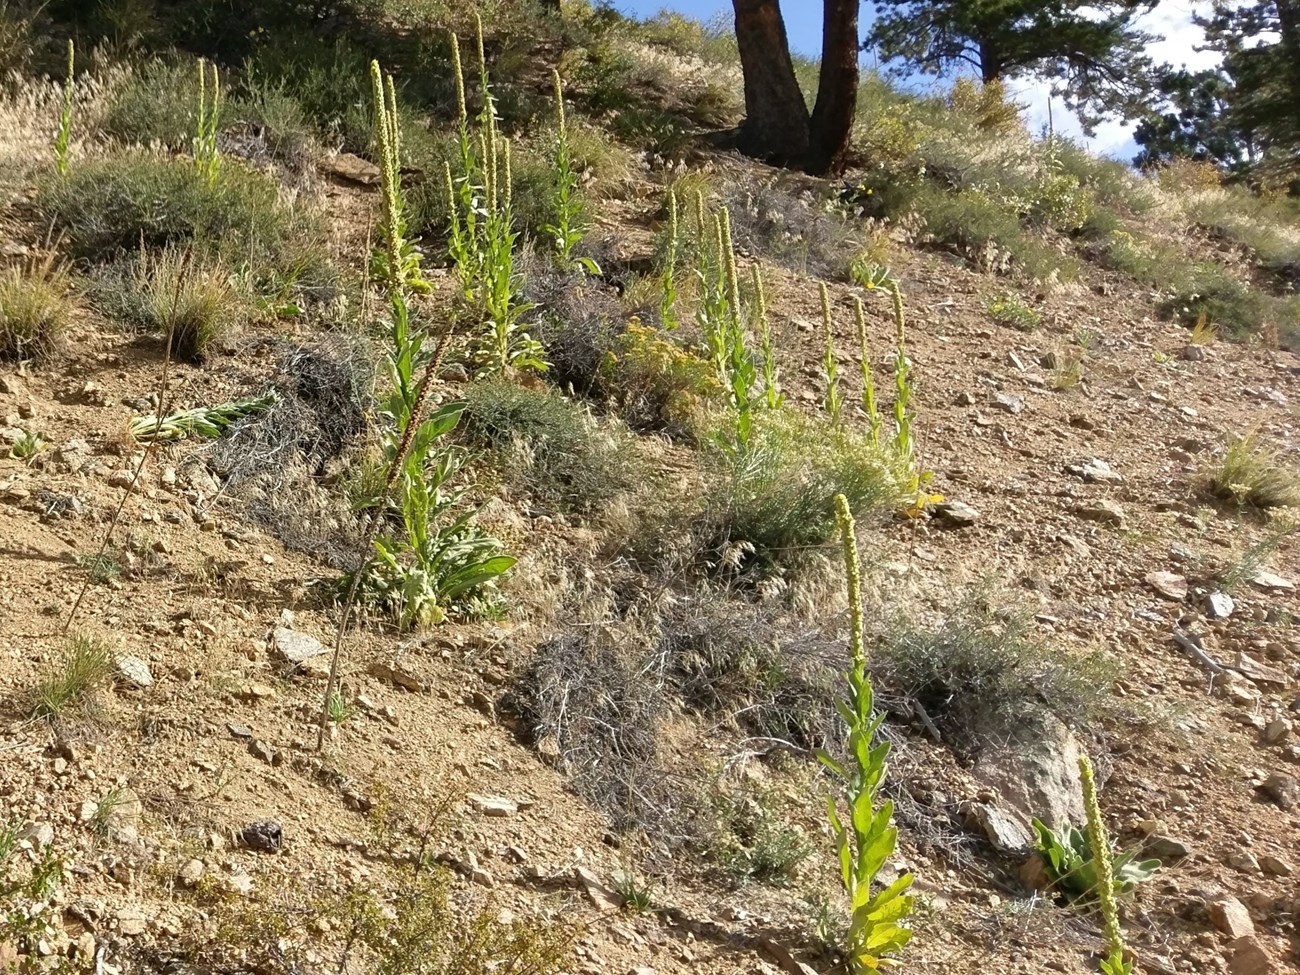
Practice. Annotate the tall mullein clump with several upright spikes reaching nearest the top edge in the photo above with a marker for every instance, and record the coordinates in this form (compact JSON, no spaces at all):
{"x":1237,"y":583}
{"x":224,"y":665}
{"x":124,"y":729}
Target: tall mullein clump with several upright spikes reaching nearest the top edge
{"x":482,"y":235}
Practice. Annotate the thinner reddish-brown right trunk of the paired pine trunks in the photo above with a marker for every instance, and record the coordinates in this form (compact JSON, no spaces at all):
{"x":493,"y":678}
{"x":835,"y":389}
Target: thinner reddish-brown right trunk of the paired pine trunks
{"x":838,"y":89}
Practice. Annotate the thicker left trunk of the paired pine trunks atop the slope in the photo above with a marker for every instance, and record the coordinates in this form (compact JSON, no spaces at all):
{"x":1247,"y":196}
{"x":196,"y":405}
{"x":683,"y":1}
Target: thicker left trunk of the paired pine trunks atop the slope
{"x":777,"y":118}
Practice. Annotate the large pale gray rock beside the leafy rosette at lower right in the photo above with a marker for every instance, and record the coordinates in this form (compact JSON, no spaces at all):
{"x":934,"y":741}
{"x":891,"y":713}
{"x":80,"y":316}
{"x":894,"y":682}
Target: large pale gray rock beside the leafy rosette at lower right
{"x":1038,"y":775}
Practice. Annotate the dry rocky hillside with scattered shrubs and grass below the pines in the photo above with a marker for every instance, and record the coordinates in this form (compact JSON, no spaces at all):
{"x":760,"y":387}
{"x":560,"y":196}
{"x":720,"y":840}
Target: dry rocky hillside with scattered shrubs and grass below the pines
{"x":577,"y":710}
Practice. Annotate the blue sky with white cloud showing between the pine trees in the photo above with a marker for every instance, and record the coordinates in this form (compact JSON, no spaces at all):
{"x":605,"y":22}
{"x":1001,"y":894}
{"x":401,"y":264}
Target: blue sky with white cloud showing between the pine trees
{"x":1172,"y":20}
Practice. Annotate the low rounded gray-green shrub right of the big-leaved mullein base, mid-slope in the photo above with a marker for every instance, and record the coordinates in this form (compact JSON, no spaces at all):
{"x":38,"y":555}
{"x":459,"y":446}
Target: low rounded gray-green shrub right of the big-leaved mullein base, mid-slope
{"x":551,"y":447}
